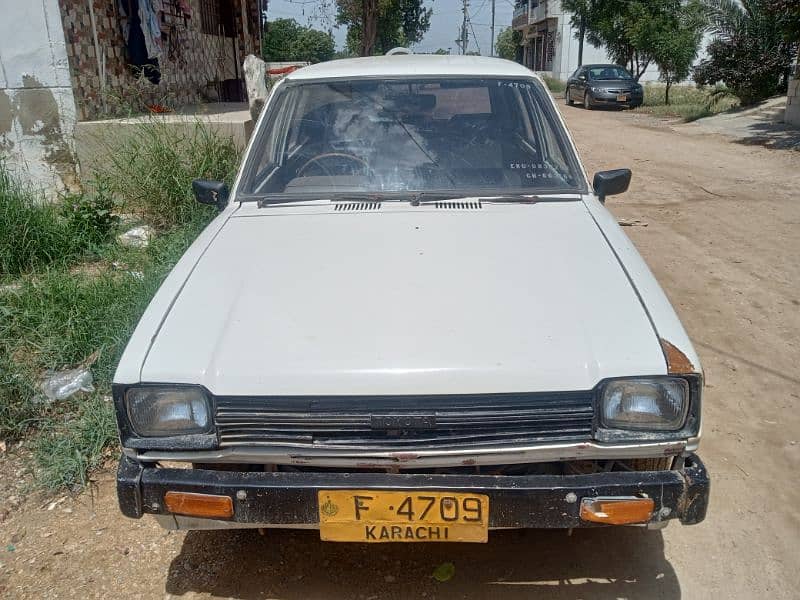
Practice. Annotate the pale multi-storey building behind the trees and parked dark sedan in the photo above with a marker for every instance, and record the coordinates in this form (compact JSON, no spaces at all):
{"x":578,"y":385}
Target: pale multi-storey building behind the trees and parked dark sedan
{"x":549,"y":44}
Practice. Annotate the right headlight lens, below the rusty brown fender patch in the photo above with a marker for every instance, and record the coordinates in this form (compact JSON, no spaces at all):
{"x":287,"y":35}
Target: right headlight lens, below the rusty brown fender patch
{"x":650,"y":403}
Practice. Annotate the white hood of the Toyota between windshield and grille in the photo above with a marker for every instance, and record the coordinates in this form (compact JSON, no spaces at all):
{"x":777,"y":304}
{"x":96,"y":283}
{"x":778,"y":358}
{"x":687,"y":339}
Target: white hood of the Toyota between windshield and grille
{"x":506,"y":298}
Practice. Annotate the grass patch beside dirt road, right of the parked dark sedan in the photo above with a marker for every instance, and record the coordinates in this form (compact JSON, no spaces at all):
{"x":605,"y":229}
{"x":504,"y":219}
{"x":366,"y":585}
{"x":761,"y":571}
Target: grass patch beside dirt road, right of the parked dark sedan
{"x":688,"y":103}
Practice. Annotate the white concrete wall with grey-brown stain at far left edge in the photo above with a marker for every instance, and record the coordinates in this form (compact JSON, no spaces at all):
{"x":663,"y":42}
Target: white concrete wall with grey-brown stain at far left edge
{"x":37,"y":109}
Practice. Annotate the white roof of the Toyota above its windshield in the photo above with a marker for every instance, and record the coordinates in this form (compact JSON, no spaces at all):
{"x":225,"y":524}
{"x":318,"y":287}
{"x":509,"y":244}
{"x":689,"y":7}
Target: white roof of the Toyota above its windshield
{"x":412,"y":65}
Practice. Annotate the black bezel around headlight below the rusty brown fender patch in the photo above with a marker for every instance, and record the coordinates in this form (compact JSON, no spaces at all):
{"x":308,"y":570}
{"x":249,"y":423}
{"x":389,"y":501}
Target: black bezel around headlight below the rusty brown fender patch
{"x":690,"y":429}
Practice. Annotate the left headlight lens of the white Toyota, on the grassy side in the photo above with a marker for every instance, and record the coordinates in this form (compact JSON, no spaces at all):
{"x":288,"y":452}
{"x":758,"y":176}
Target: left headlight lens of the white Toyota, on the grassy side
{"x":165,"y":411}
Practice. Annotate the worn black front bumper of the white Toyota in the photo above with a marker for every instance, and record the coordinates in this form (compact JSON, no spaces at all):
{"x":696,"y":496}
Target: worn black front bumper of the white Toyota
{"x":531,"y":501}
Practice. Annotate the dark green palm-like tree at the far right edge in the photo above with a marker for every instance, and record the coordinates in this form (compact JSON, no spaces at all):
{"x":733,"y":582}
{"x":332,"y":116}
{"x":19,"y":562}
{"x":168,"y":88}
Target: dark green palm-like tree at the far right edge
{"x":750,"y":52}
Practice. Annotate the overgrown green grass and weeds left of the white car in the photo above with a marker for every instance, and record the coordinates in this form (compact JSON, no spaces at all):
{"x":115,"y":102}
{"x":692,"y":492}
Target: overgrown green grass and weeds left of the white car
{"x":70,"y":302}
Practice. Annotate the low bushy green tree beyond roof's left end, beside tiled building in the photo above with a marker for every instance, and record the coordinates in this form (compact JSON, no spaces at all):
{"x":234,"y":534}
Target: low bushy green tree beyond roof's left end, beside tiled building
{"x":287,"y":40}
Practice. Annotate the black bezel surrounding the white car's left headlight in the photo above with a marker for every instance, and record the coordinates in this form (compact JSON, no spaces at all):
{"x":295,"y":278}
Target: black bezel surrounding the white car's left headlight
{"x":130,"y":439}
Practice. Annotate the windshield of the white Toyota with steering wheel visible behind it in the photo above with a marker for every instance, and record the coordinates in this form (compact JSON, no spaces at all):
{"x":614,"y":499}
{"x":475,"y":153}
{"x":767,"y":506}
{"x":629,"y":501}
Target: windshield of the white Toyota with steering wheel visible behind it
{"x":383,"y":136}
